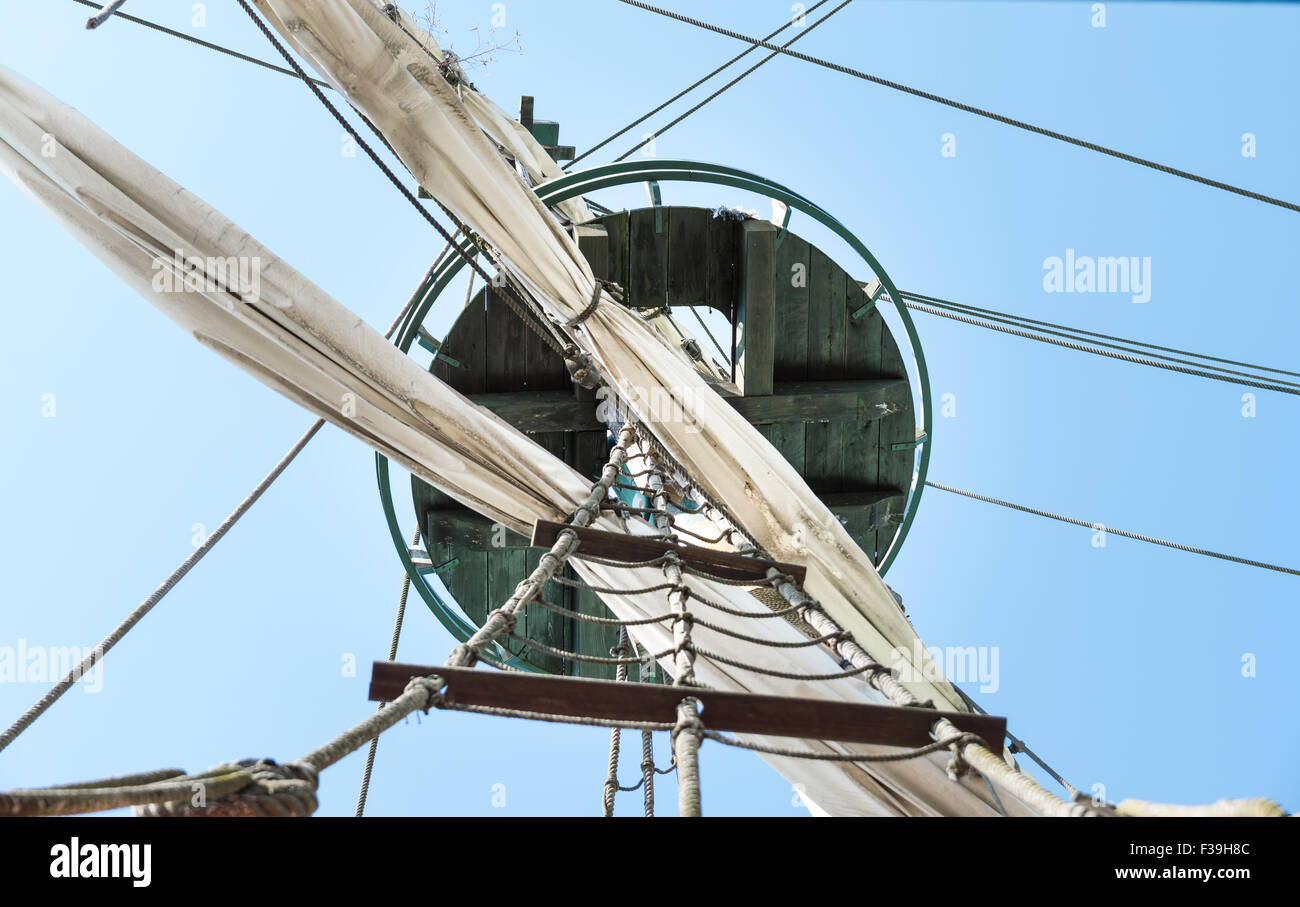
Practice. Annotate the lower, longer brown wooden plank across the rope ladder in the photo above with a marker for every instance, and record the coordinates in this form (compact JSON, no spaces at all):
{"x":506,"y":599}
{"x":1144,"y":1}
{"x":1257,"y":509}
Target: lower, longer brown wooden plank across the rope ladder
{"x":736,"y":713}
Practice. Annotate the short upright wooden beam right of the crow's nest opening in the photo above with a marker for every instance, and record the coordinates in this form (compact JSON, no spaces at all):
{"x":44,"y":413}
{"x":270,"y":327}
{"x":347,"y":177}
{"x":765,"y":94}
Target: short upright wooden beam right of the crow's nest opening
{"x":756,"y":309}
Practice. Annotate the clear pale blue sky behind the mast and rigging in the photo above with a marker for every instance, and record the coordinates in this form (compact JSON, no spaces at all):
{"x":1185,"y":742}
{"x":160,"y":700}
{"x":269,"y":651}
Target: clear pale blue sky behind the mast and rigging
{"x":1123,"y":666}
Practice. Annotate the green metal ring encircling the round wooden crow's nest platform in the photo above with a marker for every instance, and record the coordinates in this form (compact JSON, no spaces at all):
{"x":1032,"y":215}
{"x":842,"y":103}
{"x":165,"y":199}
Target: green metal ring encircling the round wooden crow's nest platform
{"x":619,"y":175}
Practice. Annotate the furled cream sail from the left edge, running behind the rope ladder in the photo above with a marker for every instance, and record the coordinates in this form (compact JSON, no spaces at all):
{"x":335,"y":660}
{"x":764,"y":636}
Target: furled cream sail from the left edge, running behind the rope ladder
{"x":189,"y":261}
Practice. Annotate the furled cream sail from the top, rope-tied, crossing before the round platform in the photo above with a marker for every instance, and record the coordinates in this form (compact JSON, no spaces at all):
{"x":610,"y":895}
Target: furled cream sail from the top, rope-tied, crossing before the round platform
{"x":374,"y":63}
